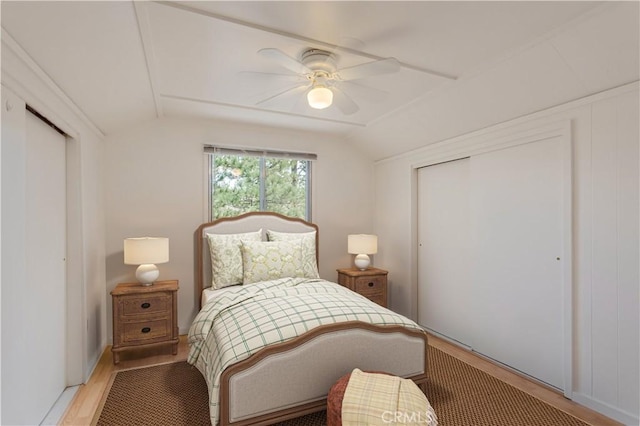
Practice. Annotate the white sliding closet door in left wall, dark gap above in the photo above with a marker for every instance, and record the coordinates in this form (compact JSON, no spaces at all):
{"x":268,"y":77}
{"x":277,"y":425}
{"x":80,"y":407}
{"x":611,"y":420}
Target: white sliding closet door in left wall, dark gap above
{"x":45,"y":266}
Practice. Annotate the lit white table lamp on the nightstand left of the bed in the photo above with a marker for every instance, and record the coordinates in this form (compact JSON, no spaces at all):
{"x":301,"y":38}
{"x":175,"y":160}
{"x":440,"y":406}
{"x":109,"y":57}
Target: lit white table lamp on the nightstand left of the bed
{"x":146,"y":252}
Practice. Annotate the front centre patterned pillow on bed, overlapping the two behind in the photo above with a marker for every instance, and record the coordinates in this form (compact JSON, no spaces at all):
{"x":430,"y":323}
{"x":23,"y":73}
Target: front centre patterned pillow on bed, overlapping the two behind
{"x":270,"y":260}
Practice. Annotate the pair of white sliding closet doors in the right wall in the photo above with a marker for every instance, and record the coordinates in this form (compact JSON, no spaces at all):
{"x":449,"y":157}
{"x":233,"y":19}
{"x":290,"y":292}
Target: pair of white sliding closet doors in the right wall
{"x":490,"y":248}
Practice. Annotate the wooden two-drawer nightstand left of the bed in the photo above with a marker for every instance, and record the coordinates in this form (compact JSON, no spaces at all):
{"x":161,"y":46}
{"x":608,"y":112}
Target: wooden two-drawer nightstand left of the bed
{"x":144,"y":316}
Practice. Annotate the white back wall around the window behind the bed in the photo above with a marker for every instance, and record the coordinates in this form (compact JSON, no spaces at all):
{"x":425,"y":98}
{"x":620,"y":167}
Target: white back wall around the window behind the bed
{"x":155,"y":185}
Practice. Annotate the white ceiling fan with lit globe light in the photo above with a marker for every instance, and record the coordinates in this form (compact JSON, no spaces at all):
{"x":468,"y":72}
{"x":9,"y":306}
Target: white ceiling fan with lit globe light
{"x":324,"y":83}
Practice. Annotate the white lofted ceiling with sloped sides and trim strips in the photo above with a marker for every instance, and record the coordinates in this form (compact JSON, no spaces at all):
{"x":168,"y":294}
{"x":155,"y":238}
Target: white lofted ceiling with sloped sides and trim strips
{"x":464,"y":65}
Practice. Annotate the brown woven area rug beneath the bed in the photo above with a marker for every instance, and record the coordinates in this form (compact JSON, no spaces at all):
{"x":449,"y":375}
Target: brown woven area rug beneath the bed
{"x":461,"y":395}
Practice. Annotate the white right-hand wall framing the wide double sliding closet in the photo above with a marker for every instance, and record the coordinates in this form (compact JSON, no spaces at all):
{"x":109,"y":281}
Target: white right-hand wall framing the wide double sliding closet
{"x":605,"y":238}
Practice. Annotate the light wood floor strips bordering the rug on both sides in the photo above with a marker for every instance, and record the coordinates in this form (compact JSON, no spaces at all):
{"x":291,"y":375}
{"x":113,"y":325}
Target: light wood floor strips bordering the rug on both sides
{"x":88,"y":398}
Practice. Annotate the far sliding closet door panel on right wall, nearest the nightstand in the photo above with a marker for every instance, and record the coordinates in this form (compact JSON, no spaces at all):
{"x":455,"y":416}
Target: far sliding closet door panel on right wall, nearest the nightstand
{"x":443,"y":241}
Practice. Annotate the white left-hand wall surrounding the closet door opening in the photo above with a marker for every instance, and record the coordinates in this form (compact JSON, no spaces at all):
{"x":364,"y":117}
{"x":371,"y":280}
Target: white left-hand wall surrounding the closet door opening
{"x":24,"y":82}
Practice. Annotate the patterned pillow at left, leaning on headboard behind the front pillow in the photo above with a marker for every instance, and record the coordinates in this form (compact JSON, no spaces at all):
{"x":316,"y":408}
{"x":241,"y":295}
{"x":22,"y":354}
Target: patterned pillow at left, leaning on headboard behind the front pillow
{"x":226,"y":258}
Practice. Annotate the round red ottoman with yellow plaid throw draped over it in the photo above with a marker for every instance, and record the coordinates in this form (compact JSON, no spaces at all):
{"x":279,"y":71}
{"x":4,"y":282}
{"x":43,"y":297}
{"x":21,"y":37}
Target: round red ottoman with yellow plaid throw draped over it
{"x":398,"y":400}
